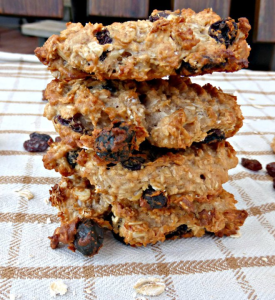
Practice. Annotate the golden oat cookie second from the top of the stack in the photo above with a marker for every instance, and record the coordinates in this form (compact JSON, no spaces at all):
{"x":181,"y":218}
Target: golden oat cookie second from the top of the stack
{"x":171,"y":113}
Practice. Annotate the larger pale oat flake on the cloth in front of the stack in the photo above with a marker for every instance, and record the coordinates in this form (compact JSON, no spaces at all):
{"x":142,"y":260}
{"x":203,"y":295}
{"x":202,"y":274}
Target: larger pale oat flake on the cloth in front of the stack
{"x":150,"y":286}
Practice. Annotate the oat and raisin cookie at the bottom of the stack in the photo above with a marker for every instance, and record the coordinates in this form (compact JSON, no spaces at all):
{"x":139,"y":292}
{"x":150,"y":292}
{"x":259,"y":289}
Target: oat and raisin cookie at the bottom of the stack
{"x":151,"y":219}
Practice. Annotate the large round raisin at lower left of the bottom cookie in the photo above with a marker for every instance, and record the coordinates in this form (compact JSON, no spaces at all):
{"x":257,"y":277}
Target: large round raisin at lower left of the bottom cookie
{"x":89,"y":237}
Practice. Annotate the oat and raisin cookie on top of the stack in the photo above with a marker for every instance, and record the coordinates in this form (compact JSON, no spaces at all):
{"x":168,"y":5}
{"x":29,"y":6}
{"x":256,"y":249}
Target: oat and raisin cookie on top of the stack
{"x":169,"y":43}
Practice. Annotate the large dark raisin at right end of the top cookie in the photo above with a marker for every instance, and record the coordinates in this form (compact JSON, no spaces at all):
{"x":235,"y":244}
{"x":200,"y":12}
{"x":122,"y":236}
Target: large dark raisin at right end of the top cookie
{"x":224,"y":31}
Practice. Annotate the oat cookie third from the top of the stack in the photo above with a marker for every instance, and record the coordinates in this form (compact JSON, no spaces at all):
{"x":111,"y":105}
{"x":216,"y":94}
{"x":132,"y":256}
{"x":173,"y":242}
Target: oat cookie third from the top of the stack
{"x":198,"y":170}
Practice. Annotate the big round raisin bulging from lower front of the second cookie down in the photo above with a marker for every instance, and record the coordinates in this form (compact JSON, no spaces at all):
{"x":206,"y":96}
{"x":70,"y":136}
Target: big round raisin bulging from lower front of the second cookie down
{"x":115,"y":143}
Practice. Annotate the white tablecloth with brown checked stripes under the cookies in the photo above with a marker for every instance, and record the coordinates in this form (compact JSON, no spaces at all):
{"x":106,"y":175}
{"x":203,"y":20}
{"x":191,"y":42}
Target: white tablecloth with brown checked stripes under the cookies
{"x":193,"y":269}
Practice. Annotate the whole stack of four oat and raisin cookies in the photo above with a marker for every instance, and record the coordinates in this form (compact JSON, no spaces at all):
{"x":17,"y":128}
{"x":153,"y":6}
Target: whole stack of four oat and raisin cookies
{"x":139,"y":155}
